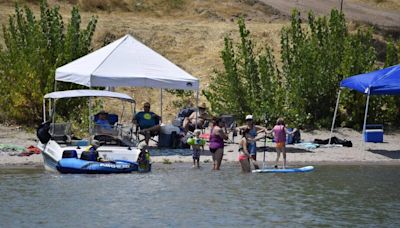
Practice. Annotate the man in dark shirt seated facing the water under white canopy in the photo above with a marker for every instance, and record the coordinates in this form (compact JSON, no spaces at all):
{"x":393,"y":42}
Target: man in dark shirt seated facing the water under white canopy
{"x":148,"y":122}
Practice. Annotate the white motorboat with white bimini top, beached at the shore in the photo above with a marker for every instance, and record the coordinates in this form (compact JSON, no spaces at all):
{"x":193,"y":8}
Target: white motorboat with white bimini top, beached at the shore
{"x":55,"y":139}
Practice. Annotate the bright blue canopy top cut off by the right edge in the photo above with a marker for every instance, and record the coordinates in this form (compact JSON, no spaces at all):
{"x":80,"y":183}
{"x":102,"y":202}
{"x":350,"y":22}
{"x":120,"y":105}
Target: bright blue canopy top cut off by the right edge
{"x":380,"y":82}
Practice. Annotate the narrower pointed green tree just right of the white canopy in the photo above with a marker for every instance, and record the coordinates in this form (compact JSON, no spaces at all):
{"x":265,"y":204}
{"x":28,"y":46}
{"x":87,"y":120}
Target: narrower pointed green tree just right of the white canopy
{"x":245,"y":85}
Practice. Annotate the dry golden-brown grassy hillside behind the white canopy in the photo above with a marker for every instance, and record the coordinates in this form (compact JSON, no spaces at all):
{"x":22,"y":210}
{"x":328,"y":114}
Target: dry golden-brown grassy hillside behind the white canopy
{"x":189,"y":33}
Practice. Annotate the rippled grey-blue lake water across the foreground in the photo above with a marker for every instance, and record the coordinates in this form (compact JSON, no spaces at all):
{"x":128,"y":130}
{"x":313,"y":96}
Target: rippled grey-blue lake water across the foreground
{"x":177,"y":196}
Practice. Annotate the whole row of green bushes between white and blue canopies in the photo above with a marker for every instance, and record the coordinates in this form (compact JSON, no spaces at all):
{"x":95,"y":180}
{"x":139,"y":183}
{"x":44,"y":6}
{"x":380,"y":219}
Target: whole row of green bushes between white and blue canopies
{"x":316,"y":56}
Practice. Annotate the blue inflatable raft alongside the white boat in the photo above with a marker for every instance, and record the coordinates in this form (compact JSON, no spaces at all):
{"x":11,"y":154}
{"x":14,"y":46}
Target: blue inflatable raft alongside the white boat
{"x":75,"y":165}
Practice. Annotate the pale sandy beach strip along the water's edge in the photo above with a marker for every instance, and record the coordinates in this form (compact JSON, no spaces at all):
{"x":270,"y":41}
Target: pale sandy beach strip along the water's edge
{"x":387,"y":152}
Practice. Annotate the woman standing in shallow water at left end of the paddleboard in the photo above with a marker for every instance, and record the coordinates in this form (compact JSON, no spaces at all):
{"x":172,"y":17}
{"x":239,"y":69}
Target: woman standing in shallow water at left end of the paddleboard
{"x":244,"y":155}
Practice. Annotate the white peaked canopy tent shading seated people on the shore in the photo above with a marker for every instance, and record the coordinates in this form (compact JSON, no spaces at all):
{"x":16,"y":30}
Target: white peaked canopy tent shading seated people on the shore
{"x":127,"y":62}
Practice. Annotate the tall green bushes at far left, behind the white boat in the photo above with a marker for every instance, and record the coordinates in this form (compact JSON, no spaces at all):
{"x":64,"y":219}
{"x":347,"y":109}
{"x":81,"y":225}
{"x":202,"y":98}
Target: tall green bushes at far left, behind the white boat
{"x":34,"y":48}
